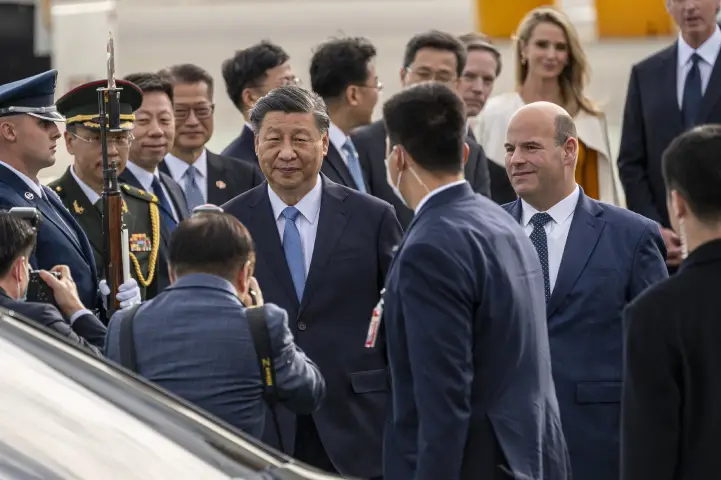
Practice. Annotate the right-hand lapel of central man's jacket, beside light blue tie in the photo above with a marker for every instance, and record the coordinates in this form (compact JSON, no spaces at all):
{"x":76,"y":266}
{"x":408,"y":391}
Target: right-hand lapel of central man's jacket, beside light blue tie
{"x":331,"y":222}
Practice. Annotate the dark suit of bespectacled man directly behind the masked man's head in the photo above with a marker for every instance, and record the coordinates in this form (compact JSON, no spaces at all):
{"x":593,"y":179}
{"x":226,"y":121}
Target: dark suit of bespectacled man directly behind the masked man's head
{"x":370,"y":142}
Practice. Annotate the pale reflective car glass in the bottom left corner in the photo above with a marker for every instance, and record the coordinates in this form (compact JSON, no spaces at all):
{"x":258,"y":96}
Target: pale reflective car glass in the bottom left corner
{"x":51,"y":427}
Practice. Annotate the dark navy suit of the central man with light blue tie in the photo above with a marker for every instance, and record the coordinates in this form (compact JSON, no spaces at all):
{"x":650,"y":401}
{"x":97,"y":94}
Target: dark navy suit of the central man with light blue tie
{"x":353,"y":249}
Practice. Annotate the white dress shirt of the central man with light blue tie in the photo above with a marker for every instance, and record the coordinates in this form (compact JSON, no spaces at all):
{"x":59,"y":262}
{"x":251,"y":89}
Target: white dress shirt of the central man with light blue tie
{"x":307,"y":221}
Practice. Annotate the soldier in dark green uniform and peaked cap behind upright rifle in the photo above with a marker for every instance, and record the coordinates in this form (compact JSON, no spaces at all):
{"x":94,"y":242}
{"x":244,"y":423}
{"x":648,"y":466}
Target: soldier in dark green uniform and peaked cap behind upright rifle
{"x":81,"y":187}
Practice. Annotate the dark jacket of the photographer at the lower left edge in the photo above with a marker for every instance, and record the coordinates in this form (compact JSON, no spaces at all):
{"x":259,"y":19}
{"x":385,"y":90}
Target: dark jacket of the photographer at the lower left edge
{"x":87,"y":331}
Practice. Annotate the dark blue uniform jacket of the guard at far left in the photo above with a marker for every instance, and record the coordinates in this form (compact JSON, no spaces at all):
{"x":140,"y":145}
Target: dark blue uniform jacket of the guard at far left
{"x":57,"y":244}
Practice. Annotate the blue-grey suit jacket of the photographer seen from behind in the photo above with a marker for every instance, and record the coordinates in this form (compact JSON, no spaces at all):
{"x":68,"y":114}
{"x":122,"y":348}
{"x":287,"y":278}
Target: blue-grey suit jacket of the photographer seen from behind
{"x":209,"y":359}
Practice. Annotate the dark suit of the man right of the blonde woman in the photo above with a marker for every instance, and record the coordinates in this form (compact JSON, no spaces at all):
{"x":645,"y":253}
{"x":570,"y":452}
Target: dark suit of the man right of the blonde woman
{"x":651,"y":120}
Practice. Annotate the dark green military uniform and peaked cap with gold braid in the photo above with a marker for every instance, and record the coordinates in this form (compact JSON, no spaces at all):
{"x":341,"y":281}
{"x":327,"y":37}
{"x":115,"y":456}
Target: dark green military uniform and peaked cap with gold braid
{"x":140,"y":209}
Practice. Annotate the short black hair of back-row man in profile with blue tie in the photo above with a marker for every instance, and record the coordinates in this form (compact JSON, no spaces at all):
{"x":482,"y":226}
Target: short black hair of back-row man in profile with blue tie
{"x":340,"y":63}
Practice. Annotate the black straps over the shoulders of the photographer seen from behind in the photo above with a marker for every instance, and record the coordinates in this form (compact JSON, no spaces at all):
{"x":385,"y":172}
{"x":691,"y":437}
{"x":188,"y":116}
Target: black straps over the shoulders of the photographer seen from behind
{"x":261,"y":341}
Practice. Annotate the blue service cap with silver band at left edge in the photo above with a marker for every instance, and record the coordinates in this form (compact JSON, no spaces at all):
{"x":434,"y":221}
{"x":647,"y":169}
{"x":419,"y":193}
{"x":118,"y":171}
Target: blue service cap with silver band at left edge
{"x":33,"y":96}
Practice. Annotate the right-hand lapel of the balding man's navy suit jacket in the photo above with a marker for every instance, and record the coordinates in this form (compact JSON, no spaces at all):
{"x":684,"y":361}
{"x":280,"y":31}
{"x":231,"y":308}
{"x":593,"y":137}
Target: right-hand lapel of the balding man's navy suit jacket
{"x":586,"y":228}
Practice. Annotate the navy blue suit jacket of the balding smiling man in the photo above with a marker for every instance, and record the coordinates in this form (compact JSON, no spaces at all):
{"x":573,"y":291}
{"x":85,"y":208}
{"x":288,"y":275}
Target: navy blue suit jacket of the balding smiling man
{"x":611,"y":256}
